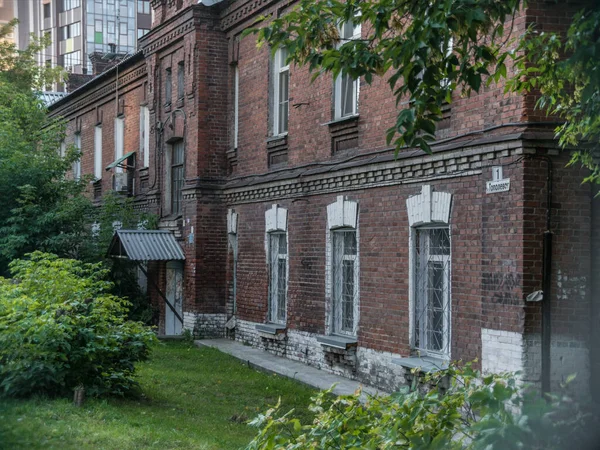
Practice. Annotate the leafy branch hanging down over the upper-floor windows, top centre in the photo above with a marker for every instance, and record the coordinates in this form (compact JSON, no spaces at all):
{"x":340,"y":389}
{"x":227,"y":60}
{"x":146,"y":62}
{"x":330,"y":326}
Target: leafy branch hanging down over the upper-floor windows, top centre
{"x":433,"y":47}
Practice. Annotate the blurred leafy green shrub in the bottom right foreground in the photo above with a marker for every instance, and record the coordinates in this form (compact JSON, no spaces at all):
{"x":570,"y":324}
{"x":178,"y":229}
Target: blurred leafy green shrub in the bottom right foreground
{"x":491,"y":412}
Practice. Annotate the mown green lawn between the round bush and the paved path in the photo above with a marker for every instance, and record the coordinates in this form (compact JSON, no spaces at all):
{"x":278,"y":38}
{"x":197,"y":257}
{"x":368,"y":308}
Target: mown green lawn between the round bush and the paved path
{"x":192,"y":399}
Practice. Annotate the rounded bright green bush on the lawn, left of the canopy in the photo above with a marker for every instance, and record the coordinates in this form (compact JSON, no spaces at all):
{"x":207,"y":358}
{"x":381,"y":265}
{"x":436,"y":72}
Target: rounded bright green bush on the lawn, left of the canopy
{"x":61,"y":328}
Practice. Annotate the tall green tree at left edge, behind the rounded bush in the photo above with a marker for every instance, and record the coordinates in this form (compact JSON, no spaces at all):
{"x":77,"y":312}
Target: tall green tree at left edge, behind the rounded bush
{"x":41,"y":208}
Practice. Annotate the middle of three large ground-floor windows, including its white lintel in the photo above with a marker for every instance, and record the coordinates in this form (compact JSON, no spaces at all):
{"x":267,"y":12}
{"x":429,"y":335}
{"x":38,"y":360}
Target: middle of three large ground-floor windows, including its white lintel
{"x":342,"y":268}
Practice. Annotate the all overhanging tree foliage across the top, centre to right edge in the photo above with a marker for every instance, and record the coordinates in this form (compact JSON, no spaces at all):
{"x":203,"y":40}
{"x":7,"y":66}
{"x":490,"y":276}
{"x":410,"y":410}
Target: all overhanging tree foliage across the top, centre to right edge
{"x":429,"y":49}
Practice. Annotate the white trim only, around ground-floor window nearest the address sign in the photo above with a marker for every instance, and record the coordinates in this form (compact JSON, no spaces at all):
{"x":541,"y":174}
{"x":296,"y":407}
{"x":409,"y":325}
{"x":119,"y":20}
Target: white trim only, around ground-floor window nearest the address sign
{"x":428,"y":210}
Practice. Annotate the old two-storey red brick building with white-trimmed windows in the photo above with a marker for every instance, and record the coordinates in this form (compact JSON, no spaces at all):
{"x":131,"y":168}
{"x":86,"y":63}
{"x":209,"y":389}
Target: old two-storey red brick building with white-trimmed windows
{"x":304,"y":234}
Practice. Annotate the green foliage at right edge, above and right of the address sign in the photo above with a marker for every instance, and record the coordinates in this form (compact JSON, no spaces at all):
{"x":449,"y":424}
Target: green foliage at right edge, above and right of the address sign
{"x":569,"y":87}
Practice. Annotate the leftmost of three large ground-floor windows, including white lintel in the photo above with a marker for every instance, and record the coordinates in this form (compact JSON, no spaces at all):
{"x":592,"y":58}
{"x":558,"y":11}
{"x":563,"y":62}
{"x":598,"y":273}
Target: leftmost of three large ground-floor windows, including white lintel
{"x":277,"y":261}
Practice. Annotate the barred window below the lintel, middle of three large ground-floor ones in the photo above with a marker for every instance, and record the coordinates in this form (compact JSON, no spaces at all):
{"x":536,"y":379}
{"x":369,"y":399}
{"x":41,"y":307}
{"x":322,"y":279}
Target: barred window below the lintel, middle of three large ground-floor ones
{"x":344,"y":280}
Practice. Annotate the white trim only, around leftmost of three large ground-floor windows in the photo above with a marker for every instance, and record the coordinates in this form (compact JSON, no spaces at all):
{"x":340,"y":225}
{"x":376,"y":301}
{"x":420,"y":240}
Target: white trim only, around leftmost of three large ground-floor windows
{"x":276,"y":223}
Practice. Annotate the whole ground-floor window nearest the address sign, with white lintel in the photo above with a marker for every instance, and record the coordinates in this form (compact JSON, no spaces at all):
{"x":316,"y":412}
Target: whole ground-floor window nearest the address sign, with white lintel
{"x":430,"y":261}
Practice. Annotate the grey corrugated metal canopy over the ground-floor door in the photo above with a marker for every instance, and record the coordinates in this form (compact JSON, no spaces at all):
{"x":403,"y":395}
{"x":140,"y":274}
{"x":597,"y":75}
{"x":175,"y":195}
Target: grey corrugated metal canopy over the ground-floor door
{"x":145,"y":245}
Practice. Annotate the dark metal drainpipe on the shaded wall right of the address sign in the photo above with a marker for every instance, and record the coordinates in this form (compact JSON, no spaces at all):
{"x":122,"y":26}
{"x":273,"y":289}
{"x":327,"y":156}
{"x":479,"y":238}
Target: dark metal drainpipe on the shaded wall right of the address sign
{"x":547,"y":284}
